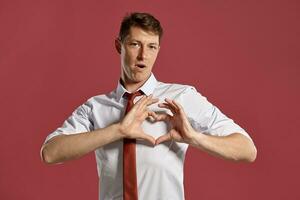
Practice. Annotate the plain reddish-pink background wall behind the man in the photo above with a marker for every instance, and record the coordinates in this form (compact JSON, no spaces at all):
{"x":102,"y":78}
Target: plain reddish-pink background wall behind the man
{"x":242,"y":55}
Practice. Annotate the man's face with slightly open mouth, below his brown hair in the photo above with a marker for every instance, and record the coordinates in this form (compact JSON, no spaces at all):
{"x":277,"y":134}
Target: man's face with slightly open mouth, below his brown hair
{"x":138,"y":51}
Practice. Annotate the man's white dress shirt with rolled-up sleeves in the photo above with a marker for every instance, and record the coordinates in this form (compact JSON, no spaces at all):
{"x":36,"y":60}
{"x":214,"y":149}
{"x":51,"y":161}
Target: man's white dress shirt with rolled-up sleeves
{"x":159,"y":168}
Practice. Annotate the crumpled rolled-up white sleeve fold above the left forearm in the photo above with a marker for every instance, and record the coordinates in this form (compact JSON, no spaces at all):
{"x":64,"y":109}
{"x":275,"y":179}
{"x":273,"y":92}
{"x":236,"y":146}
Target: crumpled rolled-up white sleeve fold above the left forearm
{"x":78,"y":122}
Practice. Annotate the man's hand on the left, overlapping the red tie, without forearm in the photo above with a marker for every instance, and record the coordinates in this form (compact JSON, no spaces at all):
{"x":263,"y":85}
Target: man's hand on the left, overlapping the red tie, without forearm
{"x":130,"y":126}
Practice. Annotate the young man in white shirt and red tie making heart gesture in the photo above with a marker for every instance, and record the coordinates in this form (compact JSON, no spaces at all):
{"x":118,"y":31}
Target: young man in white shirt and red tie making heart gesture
{"x":140,"y":154}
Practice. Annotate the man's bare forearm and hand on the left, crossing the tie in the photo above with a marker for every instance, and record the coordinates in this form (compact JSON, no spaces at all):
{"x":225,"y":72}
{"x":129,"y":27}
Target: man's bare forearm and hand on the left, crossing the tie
{"x":66,"y":147}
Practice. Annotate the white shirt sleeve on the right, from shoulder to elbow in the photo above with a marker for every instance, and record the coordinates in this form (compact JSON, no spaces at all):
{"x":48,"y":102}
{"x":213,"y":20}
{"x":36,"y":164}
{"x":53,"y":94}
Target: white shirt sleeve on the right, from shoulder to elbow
{"x":205,"y":117}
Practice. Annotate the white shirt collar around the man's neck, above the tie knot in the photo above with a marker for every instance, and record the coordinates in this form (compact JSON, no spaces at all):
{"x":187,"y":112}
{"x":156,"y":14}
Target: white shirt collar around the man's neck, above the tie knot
{"x":147,"y":88}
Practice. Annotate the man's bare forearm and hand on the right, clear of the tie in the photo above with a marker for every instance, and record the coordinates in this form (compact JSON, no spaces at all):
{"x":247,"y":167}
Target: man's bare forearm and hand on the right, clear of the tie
{"x":235,"y":147}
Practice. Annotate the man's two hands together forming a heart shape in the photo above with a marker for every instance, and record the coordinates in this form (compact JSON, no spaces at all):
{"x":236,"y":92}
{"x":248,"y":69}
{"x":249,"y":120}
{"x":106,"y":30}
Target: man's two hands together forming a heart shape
{"x":180,"y":131}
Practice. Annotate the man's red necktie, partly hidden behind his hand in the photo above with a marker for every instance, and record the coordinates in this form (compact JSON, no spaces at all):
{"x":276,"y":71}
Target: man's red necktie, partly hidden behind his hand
{"x":129,"y":159}
